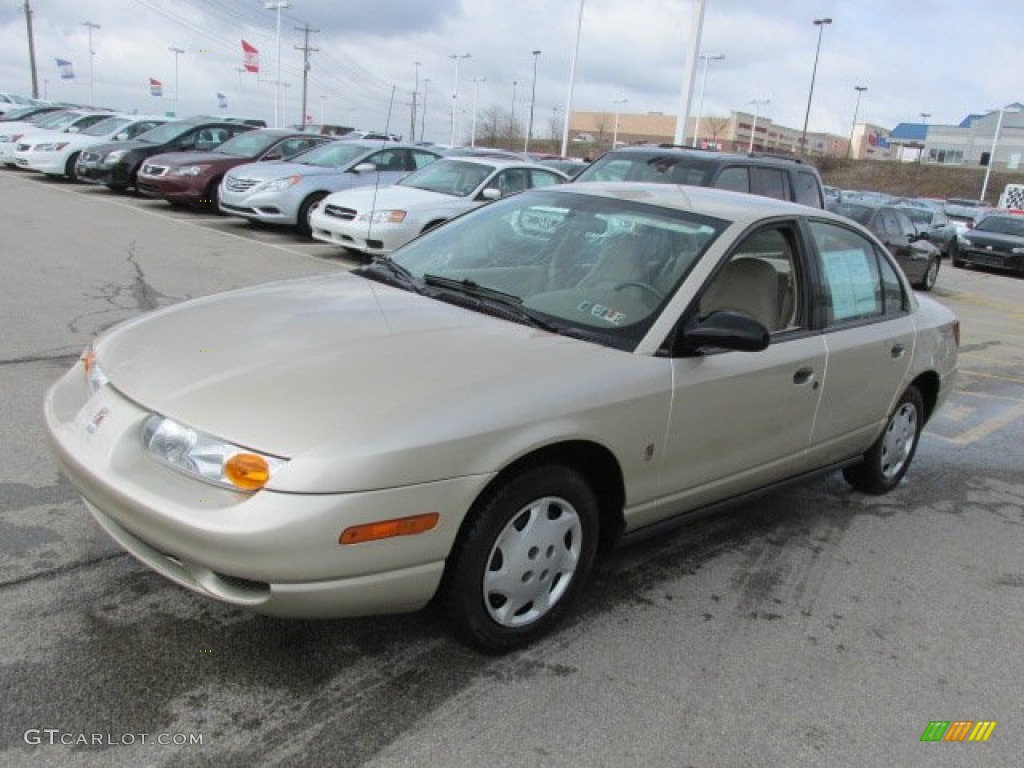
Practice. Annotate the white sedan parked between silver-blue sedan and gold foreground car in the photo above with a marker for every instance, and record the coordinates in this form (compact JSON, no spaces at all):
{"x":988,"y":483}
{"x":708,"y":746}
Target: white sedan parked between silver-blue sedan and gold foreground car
{"x":376,"y":222}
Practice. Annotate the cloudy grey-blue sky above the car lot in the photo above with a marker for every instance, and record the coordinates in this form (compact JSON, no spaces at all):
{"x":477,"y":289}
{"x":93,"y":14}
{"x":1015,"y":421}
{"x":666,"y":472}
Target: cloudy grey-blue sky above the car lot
{"x":945,"y":58}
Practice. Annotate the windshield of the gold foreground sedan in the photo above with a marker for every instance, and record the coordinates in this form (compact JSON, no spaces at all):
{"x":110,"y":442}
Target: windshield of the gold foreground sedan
{"x":591,"y":267}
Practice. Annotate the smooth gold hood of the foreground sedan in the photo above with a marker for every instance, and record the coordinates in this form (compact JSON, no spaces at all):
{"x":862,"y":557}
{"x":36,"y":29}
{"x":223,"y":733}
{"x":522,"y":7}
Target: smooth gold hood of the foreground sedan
{"x":344,"y":360}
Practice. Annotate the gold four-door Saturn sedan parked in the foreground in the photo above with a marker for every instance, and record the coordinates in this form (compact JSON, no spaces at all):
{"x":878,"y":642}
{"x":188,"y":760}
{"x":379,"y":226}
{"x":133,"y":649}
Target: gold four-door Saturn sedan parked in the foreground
{"x":465,"y":421}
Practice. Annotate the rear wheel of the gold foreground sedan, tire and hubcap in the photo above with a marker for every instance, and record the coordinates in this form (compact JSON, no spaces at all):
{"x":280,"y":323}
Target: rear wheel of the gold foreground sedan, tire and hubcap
{"x":889,"y":458}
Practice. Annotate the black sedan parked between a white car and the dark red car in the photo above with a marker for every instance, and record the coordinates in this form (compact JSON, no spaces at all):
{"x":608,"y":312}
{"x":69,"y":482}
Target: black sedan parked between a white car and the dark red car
{"x":117,"y":164}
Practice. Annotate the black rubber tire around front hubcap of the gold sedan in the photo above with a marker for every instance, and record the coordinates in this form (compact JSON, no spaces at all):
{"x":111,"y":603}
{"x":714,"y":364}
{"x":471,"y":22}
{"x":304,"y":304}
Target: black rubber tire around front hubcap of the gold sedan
{"x":462,"y":598}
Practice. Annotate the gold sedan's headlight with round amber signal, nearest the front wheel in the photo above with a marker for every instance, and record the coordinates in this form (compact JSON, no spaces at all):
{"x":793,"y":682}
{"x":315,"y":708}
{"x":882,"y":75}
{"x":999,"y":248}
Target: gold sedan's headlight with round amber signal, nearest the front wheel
{"x":205,"y":457}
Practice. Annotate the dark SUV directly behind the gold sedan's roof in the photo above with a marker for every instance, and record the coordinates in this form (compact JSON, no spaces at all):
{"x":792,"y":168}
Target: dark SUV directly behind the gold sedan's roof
{"x":769,"y":176}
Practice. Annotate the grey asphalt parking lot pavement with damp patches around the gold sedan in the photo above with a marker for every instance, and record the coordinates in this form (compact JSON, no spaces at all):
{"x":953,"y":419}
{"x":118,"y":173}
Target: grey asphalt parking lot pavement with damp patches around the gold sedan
{"x":816,"y":627}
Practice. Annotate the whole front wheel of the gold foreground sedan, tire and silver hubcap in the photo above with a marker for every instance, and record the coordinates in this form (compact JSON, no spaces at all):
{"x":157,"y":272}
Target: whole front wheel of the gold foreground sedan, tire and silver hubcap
{"x":523,"y":558}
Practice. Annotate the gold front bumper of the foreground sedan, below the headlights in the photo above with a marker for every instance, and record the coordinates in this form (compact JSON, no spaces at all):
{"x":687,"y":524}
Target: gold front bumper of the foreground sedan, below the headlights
{"x":273,"y":552}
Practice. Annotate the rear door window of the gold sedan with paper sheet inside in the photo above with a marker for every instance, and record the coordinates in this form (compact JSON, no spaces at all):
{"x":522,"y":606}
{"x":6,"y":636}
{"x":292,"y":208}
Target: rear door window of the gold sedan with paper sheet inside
{"x":859,"y":282}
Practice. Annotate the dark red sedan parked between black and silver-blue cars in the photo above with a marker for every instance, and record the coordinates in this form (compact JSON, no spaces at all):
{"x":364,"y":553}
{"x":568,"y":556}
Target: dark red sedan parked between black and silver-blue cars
{"x":192,"y":179}
